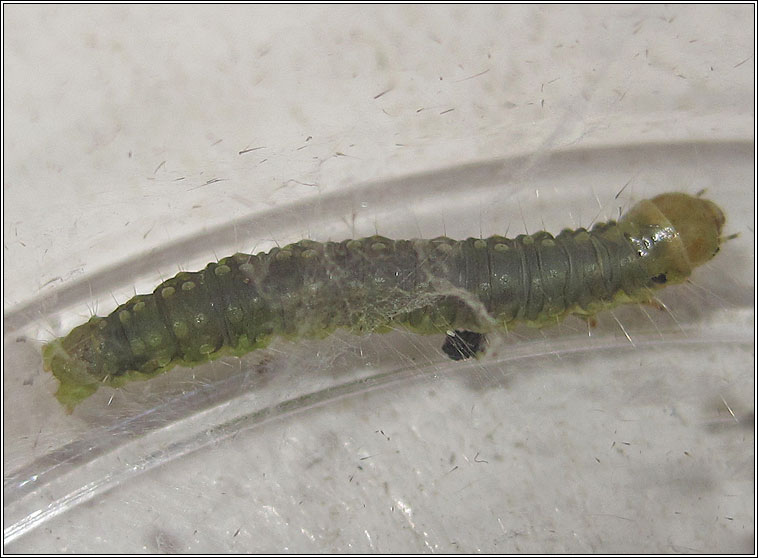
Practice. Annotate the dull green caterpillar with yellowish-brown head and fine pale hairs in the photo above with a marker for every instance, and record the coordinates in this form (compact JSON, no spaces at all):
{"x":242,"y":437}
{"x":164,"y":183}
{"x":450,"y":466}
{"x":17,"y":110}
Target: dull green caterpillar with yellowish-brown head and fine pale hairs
{"x":308,"y":289}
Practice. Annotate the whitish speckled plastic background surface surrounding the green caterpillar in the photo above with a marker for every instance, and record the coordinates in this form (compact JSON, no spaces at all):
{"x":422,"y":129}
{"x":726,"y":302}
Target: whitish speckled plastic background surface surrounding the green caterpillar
{"x":142,"y":139}
